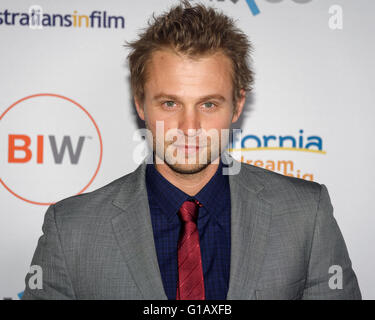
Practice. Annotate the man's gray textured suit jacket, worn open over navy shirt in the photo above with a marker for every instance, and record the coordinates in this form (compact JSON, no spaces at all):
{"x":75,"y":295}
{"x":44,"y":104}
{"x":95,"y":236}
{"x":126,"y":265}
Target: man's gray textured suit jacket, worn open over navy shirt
{"x":284,"y":239}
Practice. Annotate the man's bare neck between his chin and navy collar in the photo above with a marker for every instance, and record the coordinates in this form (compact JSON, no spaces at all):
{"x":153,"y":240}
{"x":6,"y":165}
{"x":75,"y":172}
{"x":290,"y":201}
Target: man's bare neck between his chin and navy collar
{"x":191,"y":184}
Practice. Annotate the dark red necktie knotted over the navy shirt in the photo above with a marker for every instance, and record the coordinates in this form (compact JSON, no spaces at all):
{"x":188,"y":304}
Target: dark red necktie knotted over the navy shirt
{"x":190,"y":273}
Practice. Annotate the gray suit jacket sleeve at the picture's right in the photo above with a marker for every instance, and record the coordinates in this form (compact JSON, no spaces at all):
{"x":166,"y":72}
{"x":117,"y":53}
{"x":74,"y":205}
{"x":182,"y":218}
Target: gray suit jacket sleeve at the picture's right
{"x":329,"y":249}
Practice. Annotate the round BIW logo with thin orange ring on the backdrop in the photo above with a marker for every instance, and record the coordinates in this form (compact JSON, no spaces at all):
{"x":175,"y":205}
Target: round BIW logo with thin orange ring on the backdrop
{"x":50,"y":148}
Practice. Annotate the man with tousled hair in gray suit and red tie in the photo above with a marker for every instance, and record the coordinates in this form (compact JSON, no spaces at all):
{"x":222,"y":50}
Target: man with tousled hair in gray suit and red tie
{"x":190,"y":225}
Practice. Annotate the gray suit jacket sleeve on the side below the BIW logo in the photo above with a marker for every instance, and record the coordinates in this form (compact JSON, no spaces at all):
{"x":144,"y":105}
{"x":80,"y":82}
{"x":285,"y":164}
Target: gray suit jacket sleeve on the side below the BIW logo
{"x":50,"y":257}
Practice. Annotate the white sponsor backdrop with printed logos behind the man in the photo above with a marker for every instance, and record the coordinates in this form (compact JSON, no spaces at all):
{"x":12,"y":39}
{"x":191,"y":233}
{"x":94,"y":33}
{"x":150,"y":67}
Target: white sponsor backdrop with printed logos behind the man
{"x":67,"y":119}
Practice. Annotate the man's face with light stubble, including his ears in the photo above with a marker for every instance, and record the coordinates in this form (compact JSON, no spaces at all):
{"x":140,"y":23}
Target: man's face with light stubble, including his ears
{"x":193,"y":99}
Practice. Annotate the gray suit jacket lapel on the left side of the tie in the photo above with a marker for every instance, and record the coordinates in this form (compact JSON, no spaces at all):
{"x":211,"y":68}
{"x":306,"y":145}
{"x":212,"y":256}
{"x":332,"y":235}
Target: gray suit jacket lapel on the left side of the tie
{"x":133,"y":231}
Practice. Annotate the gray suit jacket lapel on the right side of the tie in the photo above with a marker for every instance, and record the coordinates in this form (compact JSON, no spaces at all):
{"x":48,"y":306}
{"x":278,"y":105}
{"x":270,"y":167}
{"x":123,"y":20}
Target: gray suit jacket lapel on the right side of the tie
{"x":250,"y":221}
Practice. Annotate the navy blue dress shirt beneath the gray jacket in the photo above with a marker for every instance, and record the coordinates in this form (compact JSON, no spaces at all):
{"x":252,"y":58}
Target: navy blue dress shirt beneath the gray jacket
{"x":213,"y":225}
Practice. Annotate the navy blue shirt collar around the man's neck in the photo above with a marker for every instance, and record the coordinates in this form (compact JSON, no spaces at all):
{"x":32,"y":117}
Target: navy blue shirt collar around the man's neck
{"x":170,"y":198}
